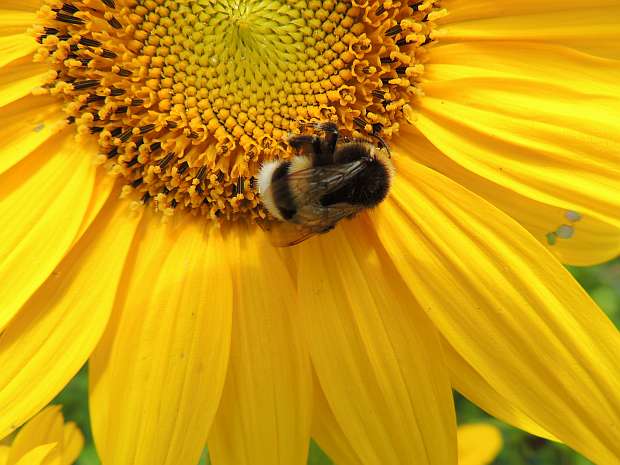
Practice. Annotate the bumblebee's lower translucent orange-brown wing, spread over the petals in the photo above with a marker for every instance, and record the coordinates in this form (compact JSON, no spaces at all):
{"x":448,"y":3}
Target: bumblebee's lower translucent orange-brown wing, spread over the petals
{"x":286,"y":234}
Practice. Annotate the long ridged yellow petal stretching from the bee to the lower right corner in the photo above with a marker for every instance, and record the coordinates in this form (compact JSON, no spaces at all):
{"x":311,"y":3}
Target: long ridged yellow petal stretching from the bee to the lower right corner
{"x":507,"y":307}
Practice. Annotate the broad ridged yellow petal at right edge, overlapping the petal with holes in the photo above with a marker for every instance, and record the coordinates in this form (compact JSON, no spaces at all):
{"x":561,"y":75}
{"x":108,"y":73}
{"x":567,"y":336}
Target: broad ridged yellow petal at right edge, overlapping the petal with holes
{"x":551,"y":139}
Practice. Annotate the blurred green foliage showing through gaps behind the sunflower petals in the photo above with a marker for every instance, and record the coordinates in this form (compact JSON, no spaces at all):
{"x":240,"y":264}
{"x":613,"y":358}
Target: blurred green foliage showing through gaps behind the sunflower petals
{"x":602,"y":283}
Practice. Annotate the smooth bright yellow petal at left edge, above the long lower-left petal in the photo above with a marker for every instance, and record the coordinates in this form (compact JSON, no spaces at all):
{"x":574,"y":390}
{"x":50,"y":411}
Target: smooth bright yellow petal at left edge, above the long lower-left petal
{"x":44,"y":200}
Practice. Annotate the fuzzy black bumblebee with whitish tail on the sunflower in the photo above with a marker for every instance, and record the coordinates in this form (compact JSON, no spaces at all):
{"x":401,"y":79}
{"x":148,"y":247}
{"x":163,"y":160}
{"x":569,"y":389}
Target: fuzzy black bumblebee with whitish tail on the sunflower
{"x":331,"y":178}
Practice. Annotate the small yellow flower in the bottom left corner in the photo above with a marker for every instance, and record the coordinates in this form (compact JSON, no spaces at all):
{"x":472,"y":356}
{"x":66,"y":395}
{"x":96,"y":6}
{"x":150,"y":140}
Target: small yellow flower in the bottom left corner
{"x":47,"y":439}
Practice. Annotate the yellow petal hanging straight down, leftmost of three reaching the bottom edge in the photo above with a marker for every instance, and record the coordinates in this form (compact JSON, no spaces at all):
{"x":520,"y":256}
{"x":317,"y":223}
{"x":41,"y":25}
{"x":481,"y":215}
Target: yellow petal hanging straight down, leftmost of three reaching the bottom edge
{"x":166,"y":349}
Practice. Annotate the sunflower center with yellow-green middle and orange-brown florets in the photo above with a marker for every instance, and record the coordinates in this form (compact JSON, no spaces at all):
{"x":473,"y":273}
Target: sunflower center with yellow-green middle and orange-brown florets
{"x":188,"y":97}
